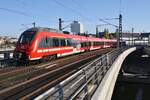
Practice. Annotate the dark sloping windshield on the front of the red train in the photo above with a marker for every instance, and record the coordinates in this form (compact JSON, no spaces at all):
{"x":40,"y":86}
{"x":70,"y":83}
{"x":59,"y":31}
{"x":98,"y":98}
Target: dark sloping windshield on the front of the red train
{"x":27,"y":37}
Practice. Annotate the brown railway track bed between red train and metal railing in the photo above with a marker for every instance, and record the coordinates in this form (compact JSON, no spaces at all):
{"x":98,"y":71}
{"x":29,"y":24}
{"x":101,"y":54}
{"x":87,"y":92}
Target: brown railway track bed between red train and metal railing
{"x":29,"y":82}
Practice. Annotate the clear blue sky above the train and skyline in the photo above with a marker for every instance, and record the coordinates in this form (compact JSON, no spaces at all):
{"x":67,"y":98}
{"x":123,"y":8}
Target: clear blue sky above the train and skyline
{"x":17,"y":15}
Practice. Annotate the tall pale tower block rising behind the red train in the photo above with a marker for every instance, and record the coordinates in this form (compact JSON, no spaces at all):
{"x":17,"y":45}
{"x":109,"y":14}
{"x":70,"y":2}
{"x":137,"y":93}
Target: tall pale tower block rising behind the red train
{"x":77,"y":27}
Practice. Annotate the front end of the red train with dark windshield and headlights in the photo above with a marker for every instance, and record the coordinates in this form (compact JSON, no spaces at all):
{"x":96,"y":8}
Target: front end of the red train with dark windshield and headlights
{"x":24,"y":45}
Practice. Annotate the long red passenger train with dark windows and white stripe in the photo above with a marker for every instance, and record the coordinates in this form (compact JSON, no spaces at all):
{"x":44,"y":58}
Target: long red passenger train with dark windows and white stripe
{"x":46,"y":43}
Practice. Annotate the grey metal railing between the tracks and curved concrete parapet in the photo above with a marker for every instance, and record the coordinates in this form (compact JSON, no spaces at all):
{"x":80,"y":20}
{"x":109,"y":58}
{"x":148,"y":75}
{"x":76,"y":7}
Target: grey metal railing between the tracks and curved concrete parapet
{"x":82,"y":84}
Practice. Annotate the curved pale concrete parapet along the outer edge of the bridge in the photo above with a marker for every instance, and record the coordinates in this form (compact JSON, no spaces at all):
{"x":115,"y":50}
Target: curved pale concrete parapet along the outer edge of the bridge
{"x":105,"y":89}
